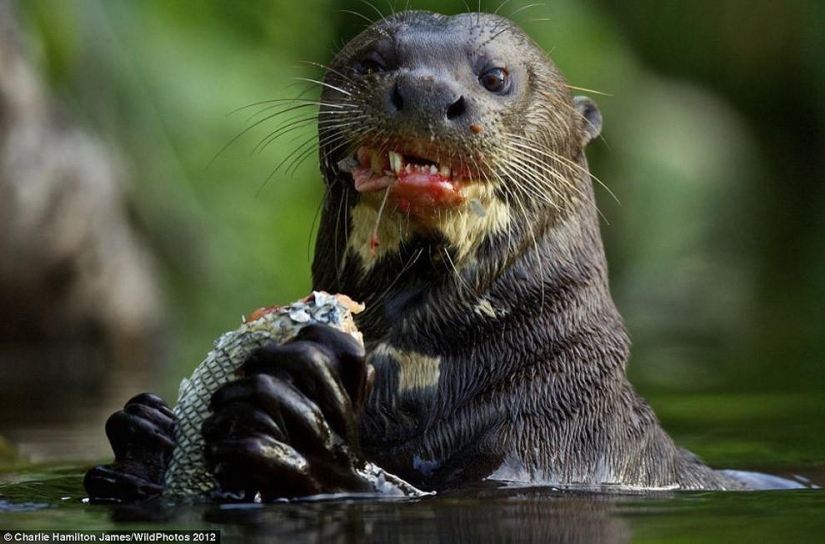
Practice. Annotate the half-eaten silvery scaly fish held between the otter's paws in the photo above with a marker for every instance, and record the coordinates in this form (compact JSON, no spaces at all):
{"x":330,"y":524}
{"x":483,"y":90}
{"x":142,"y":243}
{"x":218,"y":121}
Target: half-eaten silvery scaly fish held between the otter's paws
{"x":187,"y":476}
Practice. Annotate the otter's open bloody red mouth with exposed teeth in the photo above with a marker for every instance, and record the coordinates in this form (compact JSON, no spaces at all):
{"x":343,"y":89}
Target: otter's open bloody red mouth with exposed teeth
{"x":412,"y":181}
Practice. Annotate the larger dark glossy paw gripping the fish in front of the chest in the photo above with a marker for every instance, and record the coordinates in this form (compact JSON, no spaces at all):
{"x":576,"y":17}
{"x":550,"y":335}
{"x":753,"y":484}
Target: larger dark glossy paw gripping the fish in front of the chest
{"x":288,"y":427}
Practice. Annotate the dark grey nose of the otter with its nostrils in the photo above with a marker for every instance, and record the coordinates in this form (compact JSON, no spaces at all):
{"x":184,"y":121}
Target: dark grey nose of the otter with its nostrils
{"x":428,"y":96}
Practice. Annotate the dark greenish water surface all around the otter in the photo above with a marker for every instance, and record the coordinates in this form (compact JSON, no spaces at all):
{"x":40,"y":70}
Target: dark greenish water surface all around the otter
{"x":781,"y":434}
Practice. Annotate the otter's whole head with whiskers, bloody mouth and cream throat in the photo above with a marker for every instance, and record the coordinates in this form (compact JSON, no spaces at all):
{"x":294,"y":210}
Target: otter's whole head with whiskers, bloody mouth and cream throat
{"x":448,"y":128}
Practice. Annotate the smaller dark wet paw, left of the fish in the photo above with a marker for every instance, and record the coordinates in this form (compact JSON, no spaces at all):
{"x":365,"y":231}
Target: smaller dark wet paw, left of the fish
{"x":142,"y":438}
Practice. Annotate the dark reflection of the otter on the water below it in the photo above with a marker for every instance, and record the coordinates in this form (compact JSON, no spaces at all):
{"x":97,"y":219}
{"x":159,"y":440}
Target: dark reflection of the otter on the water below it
{"x":534,"y":515}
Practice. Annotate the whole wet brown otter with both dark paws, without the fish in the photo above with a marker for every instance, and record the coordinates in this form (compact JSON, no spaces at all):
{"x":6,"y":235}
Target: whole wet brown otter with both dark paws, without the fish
{"x":460,"y":209}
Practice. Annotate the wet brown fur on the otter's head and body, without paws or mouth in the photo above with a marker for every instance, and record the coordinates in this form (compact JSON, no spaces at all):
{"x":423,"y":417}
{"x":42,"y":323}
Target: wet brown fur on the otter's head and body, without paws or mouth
{"x":498,"y":349}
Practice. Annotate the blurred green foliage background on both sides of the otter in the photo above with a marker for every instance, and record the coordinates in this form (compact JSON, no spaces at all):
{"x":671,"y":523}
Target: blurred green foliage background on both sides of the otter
{"x":713,"y":143}
